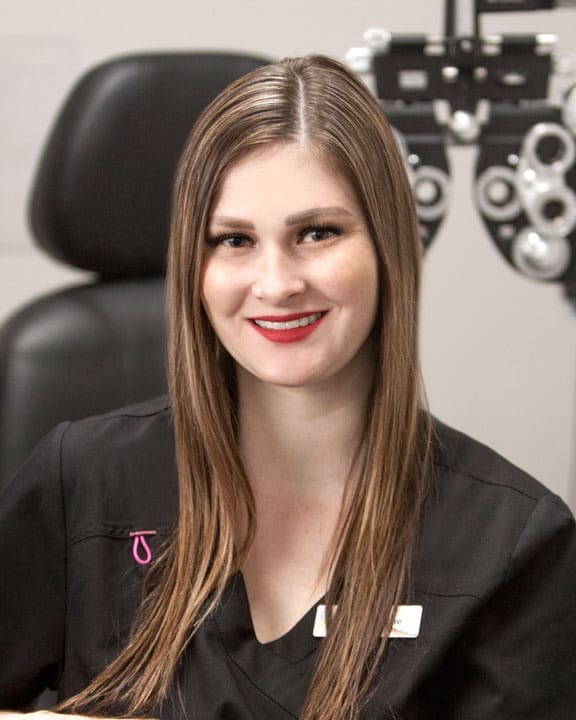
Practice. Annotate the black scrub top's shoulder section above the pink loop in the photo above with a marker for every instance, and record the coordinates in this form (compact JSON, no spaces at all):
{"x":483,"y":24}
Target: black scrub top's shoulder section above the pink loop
{"x":119,"y":467}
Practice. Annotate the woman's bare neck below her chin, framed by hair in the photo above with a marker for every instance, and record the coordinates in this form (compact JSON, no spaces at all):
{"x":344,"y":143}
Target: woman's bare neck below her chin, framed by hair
{"x":302,"y":438}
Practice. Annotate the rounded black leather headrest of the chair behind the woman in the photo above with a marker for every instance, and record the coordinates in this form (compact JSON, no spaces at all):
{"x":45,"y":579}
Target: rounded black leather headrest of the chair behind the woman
{"x":101,"y":197}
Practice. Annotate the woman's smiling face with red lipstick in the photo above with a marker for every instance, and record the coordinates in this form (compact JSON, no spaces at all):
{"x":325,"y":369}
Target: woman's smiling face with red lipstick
{"x":290,"y":279}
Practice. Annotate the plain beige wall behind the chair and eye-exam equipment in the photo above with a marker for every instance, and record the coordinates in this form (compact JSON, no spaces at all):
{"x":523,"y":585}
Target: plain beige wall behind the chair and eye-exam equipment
{"x":499,"y":350}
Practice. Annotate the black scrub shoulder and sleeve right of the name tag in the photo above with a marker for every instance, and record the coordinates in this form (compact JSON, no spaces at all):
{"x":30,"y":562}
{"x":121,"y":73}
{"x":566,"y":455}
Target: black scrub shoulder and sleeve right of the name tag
{"x":495,"y":576}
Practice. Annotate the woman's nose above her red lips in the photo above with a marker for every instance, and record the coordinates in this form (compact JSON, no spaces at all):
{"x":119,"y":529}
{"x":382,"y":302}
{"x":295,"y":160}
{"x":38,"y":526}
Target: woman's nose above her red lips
{"x":278,"y":276}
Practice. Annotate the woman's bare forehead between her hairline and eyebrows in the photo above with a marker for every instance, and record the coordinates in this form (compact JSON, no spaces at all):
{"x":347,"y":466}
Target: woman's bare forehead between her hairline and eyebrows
{"x":288,"y":177}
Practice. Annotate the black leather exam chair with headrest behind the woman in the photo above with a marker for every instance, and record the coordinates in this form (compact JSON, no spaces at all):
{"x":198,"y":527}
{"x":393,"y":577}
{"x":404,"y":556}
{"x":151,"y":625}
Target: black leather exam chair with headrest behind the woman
{"x":101,"y":202}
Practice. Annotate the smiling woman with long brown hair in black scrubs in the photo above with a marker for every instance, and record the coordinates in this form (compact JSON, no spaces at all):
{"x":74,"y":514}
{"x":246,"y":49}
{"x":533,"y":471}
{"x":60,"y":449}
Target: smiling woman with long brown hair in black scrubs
{"x":334,"y":555}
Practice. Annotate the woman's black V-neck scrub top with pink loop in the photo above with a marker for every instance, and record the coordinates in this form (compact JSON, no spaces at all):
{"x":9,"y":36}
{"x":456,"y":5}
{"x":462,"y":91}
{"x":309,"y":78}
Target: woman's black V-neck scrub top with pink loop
{"x":494,"y":571}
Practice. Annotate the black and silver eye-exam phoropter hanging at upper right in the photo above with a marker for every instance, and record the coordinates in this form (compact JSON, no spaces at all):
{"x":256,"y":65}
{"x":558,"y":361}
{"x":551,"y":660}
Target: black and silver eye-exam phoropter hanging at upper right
{"x":490,"y":90}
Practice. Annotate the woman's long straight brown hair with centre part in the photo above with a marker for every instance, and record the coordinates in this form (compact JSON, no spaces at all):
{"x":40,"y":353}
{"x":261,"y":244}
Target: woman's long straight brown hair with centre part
{"x":317,"y":101}
